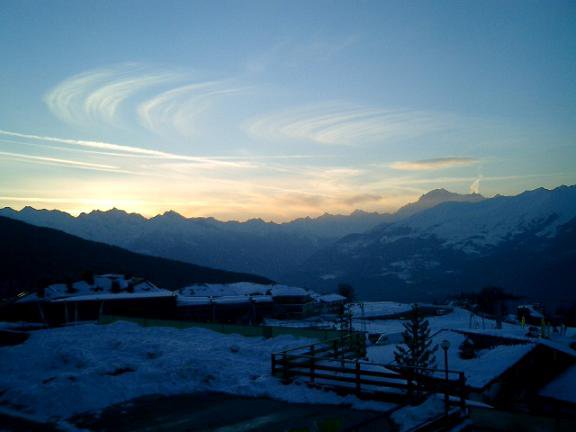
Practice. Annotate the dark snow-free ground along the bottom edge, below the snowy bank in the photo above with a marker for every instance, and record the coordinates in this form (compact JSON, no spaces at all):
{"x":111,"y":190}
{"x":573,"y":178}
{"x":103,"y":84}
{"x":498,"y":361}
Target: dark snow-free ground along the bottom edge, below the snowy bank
{"x":216,"y":412}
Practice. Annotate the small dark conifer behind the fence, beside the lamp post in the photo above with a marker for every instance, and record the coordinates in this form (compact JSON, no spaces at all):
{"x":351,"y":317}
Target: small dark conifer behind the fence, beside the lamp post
{"x":417,"y":350}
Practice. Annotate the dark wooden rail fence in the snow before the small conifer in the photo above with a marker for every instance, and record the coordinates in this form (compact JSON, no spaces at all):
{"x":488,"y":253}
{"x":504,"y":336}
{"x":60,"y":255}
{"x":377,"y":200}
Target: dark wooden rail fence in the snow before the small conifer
{"x":336,"y":364}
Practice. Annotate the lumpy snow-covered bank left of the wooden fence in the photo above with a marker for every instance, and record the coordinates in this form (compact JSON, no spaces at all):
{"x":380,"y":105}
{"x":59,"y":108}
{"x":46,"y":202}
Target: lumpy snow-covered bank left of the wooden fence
{"x":65,"y":371}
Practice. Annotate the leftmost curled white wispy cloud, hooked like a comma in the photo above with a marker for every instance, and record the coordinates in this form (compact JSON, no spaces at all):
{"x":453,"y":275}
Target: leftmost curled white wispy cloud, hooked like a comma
{"x":97,"y":95}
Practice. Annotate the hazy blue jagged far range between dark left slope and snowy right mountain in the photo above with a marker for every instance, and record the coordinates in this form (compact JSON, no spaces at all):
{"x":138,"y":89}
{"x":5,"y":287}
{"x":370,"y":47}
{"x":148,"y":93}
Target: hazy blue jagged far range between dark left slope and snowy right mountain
{"x":254,"y":246}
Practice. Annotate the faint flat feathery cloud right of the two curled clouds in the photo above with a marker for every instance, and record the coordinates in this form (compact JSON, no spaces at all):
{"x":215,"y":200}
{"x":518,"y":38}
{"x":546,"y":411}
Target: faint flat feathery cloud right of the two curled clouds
{"x":346,"y":124}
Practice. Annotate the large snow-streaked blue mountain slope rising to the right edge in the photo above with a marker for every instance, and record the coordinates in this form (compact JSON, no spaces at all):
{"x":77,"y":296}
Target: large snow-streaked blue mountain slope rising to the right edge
{"x":524,"y":243}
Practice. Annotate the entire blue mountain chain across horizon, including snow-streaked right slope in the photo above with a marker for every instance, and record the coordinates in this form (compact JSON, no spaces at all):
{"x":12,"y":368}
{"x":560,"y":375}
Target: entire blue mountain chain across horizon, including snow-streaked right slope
{"x":443,"y":243}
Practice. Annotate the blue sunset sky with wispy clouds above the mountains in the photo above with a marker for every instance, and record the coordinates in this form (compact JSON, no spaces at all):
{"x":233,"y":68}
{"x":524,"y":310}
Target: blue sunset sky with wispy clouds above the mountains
{"x":282,"y":109}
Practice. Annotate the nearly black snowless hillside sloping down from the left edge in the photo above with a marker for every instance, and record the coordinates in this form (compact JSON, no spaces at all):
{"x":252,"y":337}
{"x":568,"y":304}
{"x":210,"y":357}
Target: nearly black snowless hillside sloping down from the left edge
{"x":30,"y":255}
